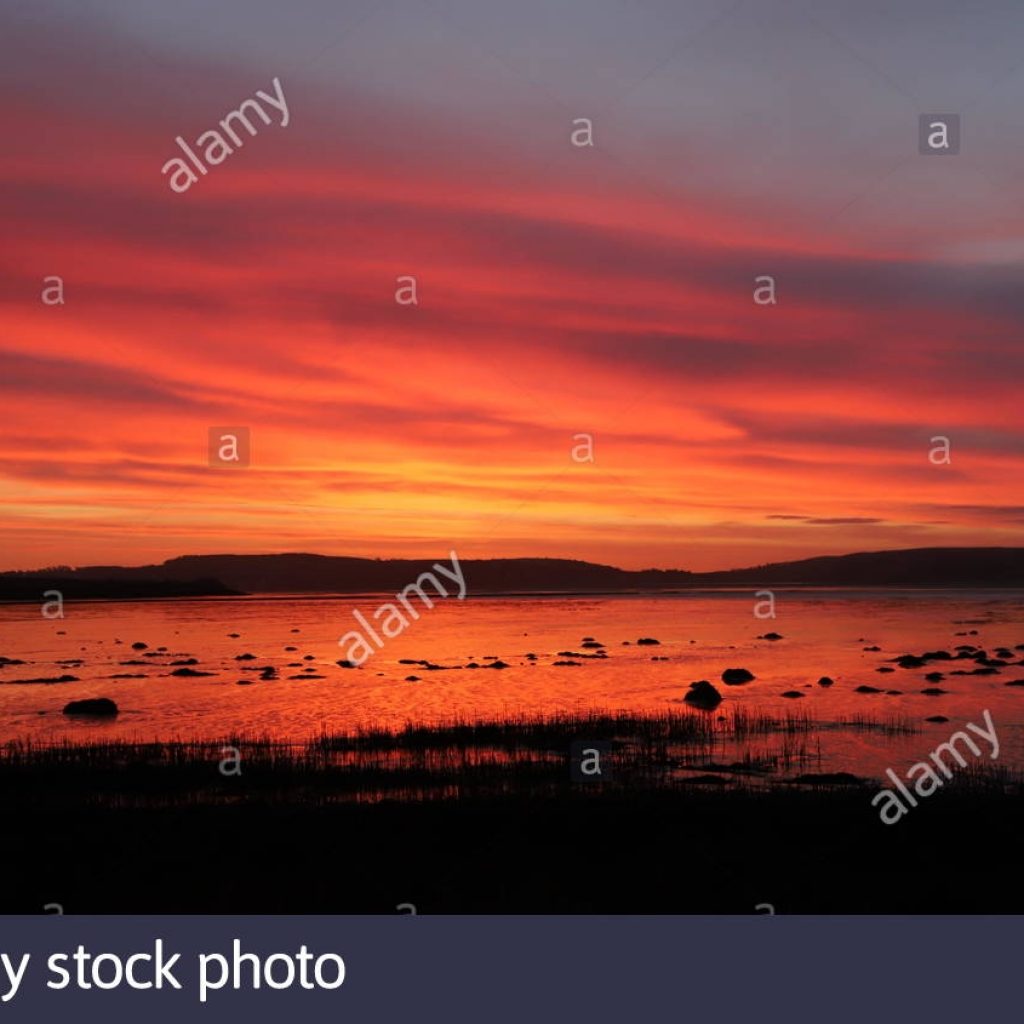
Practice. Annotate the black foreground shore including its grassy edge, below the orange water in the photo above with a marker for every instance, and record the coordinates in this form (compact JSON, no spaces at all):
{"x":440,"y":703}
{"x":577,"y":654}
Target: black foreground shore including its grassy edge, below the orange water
{"x":484,"y":819}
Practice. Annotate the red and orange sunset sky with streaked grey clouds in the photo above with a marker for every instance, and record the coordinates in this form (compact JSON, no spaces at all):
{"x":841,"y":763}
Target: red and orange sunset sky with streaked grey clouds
{"x":563,"y":290}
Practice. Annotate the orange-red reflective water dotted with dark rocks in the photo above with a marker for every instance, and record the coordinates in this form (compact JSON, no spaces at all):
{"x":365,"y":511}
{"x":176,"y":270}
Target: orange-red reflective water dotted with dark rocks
{"x":701,"y":635}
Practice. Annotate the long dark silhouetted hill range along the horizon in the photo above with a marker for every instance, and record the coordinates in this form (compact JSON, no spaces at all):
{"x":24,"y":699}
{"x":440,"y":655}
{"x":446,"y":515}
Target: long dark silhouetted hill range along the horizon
{"x":203,"y":575}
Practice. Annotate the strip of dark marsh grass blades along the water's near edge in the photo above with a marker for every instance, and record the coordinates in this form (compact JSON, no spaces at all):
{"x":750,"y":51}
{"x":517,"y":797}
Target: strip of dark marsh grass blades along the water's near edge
{"x":456,"y":760}
